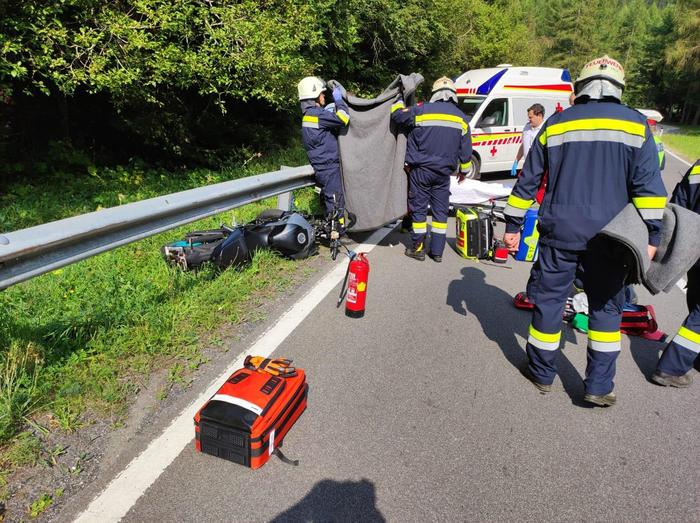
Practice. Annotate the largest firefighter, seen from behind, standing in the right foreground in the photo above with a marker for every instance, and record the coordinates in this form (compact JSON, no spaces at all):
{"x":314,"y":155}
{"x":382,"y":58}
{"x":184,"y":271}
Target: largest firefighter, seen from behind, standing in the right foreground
{"x":599,"y":155}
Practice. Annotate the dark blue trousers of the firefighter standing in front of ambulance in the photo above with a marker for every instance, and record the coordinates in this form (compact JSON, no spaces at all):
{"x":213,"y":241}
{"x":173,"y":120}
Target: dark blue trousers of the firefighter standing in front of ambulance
{"x":425,"y":188}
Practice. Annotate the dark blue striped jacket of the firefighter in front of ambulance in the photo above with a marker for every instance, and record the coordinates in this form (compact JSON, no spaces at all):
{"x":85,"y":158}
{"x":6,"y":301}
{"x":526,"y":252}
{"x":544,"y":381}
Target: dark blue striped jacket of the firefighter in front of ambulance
{"x":439,"y":138}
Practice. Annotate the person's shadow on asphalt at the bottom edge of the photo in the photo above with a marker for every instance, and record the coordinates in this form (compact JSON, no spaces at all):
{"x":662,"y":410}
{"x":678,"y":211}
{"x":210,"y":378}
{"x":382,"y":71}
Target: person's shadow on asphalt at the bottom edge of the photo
{"x":339,"y":501}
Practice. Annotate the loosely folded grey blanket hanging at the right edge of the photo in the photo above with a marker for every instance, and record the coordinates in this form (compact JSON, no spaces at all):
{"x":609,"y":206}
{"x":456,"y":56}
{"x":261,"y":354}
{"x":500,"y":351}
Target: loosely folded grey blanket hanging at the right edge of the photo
{"x":677,"y":253}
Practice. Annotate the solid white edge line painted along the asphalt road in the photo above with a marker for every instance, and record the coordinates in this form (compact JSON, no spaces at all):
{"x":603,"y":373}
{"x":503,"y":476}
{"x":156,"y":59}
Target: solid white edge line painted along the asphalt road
{"x":113,"y":503}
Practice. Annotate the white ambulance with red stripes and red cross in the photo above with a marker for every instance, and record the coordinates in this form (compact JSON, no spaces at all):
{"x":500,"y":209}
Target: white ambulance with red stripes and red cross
{"x":496,"y":100}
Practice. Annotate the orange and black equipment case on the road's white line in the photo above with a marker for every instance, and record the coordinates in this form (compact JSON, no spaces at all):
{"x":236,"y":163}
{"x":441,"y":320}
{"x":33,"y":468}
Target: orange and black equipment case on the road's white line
{"x":248,"y":417}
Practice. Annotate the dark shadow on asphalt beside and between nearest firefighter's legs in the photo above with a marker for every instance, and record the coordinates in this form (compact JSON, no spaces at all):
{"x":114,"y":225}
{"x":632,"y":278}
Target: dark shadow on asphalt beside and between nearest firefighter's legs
{"x":500,"y":321}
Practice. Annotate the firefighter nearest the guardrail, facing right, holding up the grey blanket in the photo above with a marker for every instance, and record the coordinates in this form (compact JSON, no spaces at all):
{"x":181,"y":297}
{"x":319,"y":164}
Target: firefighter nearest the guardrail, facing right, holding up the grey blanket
{"x":319,"y":133}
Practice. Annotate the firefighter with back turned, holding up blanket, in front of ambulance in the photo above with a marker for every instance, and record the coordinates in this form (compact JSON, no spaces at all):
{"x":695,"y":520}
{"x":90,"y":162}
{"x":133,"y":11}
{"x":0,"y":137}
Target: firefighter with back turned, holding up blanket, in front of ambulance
{"x":439,"y":145}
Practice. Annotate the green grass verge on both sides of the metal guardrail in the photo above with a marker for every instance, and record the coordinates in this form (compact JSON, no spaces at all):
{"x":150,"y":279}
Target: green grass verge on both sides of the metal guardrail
{"x":78,"y":343}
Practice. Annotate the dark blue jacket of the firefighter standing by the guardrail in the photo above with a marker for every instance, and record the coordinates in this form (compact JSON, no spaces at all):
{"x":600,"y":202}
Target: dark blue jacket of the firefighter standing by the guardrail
{"x":318,"y":130}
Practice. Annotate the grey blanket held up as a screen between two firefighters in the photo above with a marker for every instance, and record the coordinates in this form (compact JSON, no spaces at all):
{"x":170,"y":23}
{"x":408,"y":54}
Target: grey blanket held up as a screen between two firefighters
{"x":372,"y":155}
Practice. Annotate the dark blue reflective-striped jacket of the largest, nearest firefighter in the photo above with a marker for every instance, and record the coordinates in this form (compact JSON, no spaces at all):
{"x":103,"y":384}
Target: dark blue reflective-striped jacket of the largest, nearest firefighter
{"x":599,"y":157}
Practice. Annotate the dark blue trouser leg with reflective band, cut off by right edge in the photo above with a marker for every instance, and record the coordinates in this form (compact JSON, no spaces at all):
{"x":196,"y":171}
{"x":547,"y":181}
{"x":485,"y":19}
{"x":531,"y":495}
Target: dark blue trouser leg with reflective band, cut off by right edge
{"x":684,"y":349}
